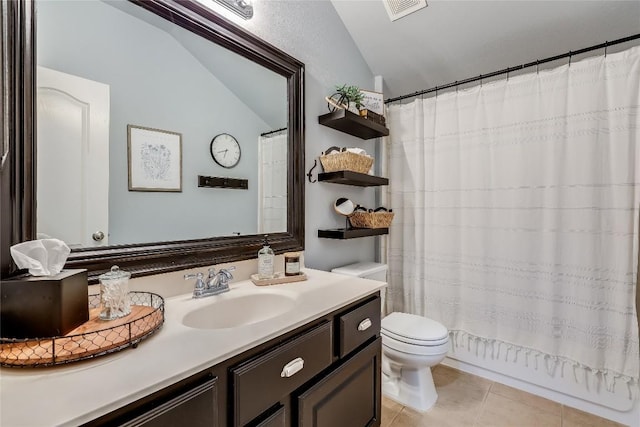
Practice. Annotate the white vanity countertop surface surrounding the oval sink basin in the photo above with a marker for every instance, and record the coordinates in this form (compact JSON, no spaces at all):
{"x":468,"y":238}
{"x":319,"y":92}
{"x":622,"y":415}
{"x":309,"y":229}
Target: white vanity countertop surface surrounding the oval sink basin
{"x":79,"y":392}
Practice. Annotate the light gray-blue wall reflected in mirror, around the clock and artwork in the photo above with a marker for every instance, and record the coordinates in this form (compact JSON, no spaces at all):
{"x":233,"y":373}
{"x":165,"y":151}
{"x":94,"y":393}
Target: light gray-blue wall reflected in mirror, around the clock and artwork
{"x":156,"y":83}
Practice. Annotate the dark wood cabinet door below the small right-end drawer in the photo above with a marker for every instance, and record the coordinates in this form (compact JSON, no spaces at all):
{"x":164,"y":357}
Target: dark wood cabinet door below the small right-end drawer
{"x":347,"y":397}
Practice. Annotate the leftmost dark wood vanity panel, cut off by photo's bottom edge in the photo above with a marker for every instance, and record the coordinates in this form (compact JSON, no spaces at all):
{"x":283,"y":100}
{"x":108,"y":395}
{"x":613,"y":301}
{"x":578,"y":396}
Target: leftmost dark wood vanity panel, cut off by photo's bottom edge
{"x":196,"y":407}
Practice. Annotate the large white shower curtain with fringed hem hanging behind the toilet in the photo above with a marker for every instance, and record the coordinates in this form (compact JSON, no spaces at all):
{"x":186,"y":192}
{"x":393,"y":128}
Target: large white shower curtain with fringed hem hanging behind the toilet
{"x":517,"y":215}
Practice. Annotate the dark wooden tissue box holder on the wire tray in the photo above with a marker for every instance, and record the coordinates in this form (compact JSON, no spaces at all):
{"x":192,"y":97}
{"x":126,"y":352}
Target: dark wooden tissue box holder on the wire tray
{"x":43,"y":307}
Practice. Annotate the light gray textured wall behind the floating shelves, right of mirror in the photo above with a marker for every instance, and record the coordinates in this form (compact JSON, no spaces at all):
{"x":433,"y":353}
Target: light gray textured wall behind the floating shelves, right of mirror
{"x":312,"y":32}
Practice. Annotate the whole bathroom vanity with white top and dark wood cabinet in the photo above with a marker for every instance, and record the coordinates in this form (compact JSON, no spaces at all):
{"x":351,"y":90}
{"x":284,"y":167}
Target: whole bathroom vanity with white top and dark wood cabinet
{"x":311,"y":358}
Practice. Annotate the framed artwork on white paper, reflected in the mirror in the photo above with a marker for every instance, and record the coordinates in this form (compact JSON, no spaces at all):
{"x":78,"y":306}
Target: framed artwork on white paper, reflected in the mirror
{"x":155,"y":159}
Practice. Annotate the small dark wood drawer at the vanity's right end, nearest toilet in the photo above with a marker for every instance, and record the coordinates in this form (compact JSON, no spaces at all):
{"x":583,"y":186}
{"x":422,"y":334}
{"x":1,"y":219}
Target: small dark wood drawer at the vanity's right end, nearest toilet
{"x":359,"y":325}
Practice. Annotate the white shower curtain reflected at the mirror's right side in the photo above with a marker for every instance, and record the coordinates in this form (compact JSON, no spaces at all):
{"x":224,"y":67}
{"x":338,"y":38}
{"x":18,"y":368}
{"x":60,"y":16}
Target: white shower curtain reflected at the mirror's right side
{"x":272,"y":209}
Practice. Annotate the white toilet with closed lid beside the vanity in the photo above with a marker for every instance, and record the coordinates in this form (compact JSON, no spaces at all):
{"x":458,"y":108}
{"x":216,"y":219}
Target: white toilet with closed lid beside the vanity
{"x":411,"y":345}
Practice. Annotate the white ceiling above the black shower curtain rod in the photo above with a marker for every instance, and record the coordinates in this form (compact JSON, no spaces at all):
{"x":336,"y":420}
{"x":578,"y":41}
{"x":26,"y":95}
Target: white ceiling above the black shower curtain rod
{"x":453,"y":40}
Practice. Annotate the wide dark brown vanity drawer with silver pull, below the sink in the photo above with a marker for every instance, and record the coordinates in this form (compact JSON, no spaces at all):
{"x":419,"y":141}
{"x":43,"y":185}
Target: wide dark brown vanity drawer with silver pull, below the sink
{"x":264,"y":380}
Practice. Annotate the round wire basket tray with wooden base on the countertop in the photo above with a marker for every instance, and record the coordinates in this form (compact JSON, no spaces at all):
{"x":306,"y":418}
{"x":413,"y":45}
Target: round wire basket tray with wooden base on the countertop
{"x":91,"y":339}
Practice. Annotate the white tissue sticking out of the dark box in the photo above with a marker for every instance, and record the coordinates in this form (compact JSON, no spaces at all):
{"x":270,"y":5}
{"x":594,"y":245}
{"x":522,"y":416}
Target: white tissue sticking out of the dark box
{"x":45,"y":257}
